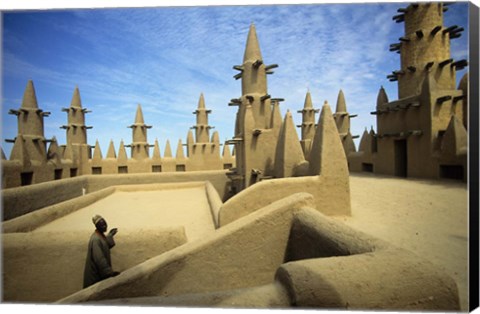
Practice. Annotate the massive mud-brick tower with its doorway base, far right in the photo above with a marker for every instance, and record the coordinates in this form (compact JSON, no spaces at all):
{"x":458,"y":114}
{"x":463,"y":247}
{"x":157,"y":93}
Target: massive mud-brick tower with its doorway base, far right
{"x":421,"y":134}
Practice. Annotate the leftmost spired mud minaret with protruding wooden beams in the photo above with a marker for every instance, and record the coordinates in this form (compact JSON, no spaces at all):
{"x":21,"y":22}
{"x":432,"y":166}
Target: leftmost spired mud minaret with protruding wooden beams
{"x":30,"y":125}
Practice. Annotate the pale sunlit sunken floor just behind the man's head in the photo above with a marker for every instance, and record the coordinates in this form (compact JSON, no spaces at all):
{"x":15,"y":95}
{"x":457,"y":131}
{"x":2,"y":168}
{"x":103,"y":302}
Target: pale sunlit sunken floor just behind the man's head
{"x":129,"y":211}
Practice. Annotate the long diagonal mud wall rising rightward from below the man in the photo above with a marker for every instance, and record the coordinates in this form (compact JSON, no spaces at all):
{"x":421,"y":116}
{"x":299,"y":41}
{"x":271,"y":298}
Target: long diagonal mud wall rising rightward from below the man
{"x":245,"y":253}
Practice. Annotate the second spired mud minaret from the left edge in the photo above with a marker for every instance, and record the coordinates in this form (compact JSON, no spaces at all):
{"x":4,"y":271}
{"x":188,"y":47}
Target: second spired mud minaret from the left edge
{"x":76,"y":129}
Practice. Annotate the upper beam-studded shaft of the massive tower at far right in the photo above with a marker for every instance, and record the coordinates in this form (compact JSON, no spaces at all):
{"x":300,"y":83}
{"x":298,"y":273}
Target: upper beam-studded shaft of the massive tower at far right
{"x":425,"y":49}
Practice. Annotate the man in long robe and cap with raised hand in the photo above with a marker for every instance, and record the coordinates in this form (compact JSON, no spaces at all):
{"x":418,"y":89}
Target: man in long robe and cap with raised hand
{"x":98,"y":265}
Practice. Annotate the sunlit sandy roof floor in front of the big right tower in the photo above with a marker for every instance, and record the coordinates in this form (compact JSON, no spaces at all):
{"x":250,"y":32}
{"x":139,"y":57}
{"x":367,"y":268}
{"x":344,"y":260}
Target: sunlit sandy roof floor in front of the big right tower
{"x":429,"y":218}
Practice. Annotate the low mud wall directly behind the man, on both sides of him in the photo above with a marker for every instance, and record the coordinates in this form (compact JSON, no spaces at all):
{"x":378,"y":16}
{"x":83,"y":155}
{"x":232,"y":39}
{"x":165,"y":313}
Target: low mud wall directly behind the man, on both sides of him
{"x":47,"y":266}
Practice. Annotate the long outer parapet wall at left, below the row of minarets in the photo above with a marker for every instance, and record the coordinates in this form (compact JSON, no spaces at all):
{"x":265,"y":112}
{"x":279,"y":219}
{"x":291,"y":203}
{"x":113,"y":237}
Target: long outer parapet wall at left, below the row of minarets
{"x":23,"y":200}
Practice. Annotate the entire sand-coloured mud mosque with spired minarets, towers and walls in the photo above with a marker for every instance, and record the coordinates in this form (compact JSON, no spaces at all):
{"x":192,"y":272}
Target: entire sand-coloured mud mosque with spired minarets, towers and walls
{"x":270,"y":194}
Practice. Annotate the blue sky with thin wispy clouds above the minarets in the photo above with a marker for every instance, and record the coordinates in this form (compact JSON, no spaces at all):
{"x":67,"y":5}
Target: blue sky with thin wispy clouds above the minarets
{"x":163,"y":58}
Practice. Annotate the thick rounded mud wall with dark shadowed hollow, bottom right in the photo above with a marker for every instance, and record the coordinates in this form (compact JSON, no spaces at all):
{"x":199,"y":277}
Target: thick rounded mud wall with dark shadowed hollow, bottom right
{"x":334,"y":266}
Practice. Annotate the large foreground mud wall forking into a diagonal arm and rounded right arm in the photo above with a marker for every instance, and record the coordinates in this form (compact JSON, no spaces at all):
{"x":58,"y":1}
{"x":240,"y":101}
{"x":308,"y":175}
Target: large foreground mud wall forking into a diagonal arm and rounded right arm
{"x":320,"y":263}
